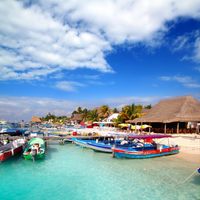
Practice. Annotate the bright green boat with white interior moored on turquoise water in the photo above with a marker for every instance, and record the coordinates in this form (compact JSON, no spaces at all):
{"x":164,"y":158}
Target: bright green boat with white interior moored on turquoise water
{"x":35,"y":149}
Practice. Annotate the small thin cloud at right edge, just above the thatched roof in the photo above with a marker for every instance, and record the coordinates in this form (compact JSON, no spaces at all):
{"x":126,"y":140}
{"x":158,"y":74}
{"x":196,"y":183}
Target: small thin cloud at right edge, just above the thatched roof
{"x":186,"y":81}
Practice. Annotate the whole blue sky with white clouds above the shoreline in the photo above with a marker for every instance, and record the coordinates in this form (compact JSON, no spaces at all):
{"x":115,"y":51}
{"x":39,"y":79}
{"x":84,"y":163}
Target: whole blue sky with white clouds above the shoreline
{"x":56,"y":55}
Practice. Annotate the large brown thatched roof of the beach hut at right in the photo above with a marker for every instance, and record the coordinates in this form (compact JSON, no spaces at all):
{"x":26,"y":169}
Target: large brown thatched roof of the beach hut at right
{"x":179,"y":109}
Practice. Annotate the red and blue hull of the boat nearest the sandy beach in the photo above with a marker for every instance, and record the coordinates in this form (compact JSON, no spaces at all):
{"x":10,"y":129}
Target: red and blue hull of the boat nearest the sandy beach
{"x":121,"y":153}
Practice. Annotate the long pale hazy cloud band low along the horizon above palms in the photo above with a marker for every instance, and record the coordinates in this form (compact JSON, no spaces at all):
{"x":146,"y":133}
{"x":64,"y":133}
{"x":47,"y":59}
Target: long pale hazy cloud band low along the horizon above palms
{"x":18,"y":108}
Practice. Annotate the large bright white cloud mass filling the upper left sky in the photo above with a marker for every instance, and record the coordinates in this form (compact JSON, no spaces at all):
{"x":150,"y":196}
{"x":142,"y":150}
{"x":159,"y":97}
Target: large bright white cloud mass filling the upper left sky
{"x":34,"y":44}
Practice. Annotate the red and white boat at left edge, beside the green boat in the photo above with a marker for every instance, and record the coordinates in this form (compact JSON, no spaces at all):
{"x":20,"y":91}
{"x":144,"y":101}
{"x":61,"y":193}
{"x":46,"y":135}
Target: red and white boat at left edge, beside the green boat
{"x":11,"y":148}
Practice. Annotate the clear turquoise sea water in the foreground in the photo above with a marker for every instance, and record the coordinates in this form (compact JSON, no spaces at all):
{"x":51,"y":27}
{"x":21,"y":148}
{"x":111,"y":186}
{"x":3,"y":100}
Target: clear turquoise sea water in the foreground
{"x":72,"y":172}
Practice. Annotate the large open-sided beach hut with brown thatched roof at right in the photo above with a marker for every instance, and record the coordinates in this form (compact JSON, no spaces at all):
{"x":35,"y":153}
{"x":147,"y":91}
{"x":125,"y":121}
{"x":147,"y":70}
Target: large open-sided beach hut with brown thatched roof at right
{"x":180,"y":115}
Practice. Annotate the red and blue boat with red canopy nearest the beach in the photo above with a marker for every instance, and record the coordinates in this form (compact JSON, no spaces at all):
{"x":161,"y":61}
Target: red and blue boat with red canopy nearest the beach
{"x":145,"y":147}
